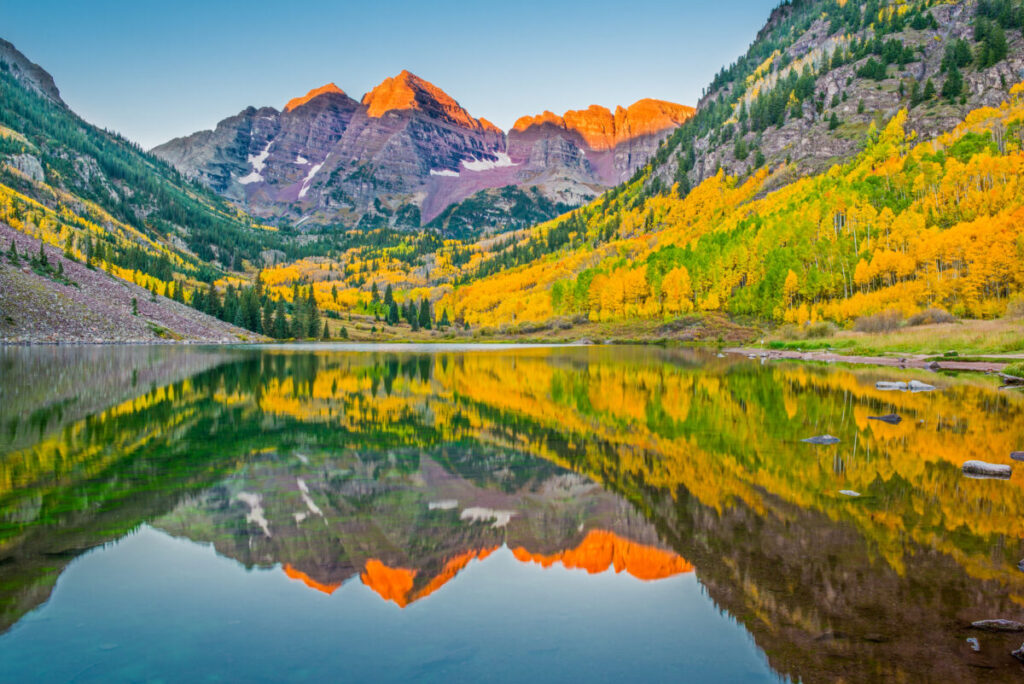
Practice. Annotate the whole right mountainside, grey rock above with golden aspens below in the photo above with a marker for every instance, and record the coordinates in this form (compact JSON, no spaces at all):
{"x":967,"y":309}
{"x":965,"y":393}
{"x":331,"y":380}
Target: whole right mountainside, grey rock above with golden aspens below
{"x":860,"y":158}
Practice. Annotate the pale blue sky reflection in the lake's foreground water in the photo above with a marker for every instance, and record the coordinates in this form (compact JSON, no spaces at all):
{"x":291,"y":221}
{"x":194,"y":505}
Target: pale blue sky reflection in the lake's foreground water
{"x":151,"y":604}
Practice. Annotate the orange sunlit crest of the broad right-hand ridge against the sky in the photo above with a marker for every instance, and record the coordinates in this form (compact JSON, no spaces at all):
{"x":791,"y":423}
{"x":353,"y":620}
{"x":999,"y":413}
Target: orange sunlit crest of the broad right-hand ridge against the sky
{"x":602,"y":130}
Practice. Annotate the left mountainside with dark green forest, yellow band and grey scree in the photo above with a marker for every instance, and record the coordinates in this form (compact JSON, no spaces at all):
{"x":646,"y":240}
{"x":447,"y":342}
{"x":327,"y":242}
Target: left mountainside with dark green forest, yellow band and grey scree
{"x":114,"y":224}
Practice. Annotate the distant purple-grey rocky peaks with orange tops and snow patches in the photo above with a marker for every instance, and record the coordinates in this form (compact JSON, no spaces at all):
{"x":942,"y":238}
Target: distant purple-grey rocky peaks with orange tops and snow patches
{"x":408,"y":152}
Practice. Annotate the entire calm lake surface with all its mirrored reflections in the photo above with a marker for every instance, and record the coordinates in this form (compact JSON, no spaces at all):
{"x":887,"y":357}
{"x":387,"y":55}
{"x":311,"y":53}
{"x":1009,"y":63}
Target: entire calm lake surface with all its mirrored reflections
{"x":514,"y":515}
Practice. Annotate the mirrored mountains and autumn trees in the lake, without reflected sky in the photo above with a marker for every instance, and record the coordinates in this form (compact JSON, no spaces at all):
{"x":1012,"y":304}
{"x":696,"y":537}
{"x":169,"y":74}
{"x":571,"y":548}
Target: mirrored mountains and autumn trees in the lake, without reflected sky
{"x":404,"y":472}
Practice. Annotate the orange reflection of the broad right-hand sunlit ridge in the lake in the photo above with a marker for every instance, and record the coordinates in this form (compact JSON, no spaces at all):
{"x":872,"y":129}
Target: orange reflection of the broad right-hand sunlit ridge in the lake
{"x":602,"y":550}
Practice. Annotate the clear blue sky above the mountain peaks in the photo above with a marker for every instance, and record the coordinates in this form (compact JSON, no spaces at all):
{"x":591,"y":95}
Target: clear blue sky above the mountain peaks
{"x":155,"y":70}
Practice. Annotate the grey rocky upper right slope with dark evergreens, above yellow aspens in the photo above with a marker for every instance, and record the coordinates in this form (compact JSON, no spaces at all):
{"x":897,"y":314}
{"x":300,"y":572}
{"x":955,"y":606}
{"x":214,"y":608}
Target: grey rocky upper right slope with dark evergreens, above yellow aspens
{"x":821,"y":73}
